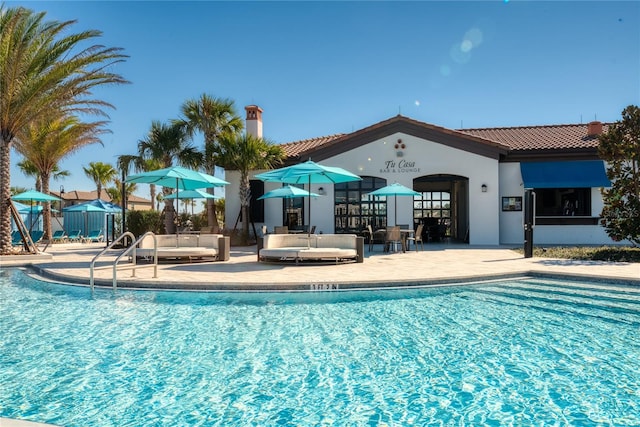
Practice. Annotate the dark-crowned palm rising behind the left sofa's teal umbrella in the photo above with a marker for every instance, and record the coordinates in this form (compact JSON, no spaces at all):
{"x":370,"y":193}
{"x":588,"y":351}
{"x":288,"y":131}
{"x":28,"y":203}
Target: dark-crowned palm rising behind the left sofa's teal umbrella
{"x":166,"y":144}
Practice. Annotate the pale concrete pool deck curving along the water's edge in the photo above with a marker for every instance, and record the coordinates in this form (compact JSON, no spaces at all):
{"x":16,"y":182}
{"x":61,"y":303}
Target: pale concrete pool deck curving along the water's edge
{"x":437,"y":264}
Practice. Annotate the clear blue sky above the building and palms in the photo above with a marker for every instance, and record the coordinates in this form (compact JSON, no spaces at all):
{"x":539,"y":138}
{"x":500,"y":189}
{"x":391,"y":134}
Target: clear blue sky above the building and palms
{"x":319,"y":68}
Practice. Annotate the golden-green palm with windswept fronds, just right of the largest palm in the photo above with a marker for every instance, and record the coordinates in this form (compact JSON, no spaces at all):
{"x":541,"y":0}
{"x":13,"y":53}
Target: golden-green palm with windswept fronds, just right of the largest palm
{"x":47,"y":142}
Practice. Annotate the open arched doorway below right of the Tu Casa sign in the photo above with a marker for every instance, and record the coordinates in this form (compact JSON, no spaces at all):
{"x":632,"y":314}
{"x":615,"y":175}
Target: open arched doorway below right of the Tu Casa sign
{"x":443,"y":207}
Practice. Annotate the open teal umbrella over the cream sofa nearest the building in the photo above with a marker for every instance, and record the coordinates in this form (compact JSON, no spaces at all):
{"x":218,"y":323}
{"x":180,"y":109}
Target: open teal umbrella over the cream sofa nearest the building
{"x":307,"y":173}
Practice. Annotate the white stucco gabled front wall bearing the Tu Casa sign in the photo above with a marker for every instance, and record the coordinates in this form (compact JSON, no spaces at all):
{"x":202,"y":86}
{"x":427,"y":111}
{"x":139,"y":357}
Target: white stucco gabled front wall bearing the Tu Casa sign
{"x":380,"y":159}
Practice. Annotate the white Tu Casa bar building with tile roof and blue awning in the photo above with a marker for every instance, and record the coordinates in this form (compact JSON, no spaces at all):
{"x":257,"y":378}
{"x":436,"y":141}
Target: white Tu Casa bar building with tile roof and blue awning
{"x":471,"y":182}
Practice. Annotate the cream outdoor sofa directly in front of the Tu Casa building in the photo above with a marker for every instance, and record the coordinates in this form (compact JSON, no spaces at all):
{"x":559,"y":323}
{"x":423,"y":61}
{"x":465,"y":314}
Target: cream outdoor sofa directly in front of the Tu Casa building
{"x":316,"y":247}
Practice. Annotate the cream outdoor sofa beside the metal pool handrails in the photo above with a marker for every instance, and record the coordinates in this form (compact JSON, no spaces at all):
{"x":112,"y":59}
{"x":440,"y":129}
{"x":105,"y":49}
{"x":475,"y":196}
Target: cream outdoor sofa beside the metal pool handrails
{"x":186,"y":246}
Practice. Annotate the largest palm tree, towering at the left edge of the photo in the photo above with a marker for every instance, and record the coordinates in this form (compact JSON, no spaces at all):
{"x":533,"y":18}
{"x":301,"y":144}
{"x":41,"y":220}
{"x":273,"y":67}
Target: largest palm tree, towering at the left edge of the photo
{"x":43,"y":67}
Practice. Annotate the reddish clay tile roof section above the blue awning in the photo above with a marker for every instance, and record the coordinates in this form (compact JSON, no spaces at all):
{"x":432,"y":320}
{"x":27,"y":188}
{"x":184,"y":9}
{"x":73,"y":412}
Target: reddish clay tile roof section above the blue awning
{"x":549,"y":137}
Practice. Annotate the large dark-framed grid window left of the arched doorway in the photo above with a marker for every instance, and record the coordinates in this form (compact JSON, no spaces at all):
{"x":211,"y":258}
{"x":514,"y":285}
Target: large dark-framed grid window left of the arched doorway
{"x":354,"y":208}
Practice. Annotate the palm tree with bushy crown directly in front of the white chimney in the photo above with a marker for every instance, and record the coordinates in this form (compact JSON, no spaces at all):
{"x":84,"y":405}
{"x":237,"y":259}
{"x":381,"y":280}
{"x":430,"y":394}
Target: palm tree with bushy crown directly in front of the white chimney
{"x":245,"y":153}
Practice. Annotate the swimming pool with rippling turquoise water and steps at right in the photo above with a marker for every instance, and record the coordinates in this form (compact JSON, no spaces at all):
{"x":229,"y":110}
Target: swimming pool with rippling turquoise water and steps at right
{"x":520,"y":352}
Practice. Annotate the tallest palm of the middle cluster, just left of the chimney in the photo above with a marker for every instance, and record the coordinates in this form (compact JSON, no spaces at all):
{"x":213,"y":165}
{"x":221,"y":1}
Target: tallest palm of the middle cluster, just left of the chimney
{"x":212,"y":117}
